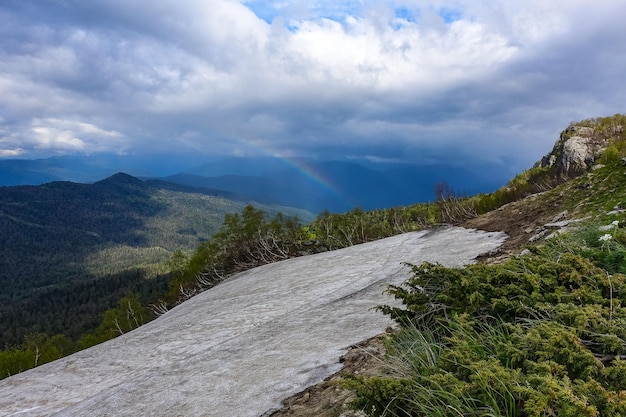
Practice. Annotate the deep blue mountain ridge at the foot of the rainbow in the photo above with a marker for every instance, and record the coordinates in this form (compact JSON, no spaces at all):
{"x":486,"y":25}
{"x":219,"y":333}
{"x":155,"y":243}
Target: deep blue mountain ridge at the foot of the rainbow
{"x":340,"y":186}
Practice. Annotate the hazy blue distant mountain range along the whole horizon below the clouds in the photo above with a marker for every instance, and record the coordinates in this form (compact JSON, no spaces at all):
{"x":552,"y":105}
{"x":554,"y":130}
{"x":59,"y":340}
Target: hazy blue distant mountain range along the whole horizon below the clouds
{"x":337,"y":186}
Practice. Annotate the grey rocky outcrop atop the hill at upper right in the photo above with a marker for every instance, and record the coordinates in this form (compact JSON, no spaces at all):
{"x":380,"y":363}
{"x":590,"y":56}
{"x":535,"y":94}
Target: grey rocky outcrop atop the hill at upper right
{"x":576,"y":151}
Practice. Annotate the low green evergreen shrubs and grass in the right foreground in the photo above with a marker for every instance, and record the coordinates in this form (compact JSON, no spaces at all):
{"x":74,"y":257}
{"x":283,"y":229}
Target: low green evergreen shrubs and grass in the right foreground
{"x":534,"y":336}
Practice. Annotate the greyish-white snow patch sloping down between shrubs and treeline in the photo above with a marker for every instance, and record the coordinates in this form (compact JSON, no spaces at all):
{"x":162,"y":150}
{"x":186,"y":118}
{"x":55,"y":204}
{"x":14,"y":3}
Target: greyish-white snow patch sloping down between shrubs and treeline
{"x":243,"y":346}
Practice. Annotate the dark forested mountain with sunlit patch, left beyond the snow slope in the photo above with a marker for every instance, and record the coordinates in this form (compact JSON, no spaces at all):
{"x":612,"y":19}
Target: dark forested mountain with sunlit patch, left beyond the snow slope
{"x":71,"y":251}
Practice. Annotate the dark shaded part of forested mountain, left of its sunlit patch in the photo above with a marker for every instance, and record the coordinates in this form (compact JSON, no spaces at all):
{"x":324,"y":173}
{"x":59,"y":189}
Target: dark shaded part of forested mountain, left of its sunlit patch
{"x":48,"y":231}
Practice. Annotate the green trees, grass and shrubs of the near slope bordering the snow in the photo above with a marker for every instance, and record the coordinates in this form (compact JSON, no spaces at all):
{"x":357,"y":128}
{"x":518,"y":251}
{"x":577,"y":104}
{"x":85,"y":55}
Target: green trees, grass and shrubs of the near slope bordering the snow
{"x":535,"y":335}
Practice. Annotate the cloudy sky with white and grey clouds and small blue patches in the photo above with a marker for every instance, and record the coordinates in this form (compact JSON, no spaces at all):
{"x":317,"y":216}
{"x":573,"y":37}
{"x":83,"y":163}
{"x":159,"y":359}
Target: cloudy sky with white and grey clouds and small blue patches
{"x":396,"y":80}
